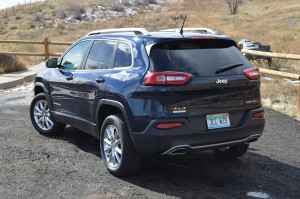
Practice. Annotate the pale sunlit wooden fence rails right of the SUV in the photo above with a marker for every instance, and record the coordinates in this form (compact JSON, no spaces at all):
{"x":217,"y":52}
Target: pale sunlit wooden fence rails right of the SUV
{"x":277,"y":73}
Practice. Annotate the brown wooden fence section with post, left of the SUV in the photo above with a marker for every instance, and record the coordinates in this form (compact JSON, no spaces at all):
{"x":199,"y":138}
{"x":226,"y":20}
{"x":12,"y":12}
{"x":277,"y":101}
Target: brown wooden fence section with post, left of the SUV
{"x":45,"y":42}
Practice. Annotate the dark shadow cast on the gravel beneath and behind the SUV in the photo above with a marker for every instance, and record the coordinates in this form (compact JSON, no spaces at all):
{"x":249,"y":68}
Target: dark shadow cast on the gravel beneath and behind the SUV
{"x":201,"y":175}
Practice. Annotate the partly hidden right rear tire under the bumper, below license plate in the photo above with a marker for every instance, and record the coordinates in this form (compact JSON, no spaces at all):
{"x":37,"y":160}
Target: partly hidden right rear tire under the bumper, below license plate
{"x":231,"y":152}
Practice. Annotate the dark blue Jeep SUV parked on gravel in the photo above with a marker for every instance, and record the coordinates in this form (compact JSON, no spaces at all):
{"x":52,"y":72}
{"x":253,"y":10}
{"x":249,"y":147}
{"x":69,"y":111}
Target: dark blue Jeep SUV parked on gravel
{"x":147,"y":93}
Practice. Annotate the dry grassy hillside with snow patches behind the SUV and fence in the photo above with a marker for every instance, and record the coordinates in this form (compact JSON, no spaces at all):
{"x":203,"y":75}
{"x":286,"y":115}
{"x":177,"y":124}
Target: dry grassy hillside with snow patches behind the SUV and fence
{"x":274,"y":22}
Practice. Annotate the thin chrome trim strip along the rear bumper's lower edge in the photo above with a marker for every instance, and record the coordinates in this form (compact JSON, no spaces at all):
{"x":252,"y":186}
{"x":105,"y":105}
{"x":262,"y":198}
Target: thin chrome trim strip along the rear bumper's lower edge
{"x":186,"y":146}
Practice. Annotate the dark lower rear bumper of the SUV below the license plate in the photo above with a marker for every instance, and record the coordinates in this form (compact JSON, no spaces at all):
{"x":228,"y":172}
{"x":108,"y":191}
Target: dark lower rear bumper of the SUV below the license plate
{"x":187,"y":137}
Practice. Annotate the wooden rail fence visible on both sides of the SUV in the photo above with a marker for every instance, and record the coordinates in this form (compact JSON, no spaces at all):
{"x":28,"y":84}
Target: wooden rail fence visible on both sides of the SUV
{"x":47,"y":53}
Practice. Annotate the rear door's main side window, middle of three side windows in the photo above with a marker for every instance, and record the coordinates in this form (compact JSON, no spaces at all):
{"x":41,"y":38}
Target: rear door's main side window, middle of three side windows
{"x":100,"y":55}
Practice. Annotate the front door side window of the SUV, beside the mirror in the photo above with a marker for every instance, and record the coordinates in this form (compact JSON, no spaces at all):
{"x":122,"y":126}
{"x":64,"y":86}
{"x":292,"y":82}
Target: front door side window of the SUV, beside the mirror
{"x":73,"y":58}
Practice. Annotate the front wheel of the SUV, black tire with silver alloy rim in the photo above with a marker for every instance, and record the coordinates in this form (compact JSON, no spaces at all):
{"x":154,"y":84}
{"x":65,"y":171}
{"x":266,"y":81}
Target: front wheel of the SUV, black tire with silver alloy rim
{"x":41,"y":118}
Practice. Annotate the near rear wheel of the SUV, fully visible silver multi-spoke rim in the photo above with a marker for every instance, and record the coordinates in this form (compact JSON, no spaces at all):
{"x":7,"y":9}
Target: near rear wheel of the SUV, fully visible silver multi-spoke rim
{"x":118,"y":153}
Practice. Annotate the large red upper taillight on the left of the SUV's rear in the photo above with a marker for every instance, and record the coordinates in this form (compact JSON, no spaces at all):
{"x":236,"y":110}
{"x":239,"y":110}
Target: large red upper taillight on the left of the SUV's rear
{"x":162,"y":78}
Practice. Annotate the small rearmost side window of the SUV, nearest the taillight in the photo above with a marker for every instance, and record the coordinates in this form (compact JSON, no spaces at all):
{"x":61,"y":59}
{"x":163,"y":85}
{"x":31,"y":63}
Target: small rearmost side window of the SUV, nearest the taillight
{"x":123,"y":55}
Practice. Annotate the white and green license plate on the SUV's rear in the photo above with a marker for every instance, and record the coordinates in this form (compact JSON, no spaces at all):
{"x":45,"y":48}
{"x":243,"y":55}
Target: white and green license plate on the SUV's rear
{"x":218,"y":121}
